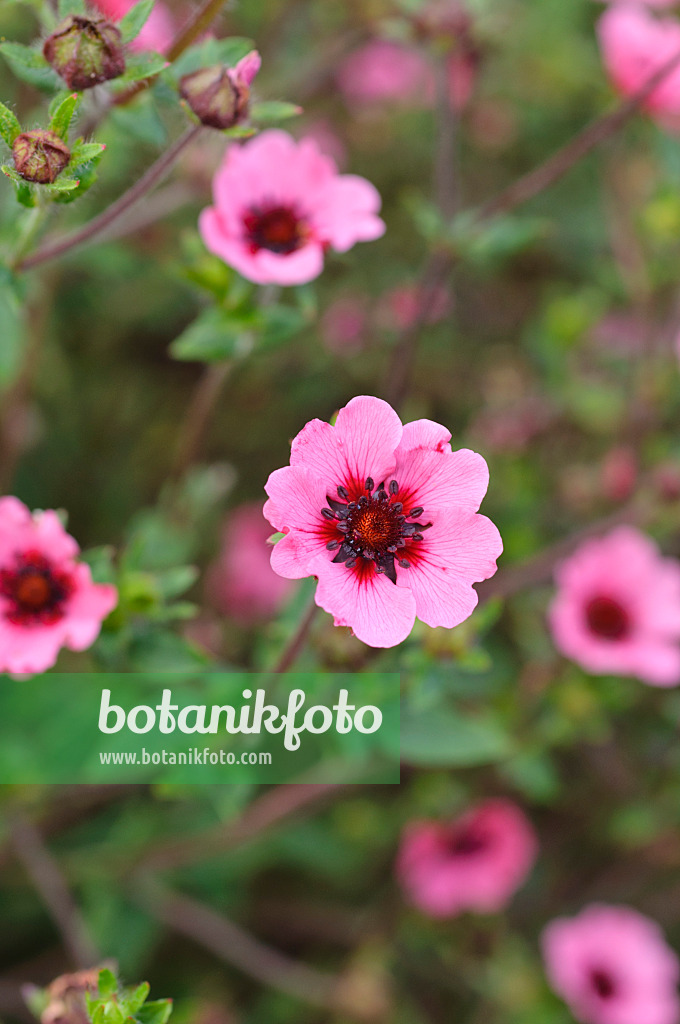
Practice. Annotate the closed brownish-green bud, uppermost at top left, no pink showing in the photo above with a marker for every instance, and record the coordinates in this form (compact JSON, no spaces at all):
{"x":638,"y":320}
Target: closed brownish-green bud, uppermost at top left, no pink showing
{"x":86,"y":52}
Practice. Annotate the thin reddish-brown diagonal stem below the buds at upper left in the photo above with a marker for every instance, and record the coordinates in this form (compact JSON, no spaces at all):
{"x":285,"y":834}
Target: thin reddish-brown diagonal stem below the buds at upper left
{"x":99,"y":225}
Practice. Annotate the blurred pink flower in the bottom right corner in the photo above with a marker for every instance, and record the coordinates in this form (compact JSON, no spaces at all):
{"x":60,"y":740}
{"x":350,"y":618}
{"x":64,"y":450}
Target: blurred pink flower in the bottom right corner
{"x":613,"y":966}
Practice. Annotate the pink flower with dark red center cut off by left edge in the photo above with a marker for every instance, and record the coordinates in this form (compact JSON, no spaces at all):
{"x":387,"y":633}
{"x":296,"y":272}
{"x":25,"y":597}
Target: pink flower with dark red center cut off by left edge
{"x":48,"y":600}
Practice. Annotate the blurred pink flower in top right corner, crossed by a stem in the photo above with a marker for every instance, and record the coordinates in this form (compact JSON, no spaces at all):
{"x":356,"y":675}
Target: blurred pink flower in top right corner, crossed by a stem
{"x":635,"y":45}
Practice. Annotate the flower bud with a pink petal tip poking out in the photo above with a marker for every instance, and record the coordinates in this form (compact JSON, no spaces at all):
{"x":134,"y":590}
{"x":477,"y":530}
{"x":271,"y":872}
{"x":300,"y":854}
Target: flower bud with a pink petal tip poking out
{"x":220,"y":96}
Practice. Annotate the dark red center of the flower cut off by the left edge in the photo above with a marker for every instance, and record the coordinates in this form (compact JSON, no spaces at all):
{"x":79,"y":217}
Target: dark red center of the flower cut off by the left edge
{"x":35,"y":590}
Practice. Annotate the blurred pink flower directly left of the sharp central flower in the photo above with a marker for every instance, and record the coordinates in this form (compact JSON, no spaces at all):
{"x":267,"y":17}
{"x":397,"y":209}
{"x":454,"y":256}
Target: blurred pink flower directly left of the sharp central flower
{"x":242,"y":582}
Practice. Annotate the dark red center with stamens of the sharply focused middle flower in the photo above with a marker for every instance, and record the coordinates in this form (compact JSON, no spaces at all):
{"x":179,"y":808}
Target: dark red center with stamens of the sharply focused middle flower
{"x":374,"y":529}
